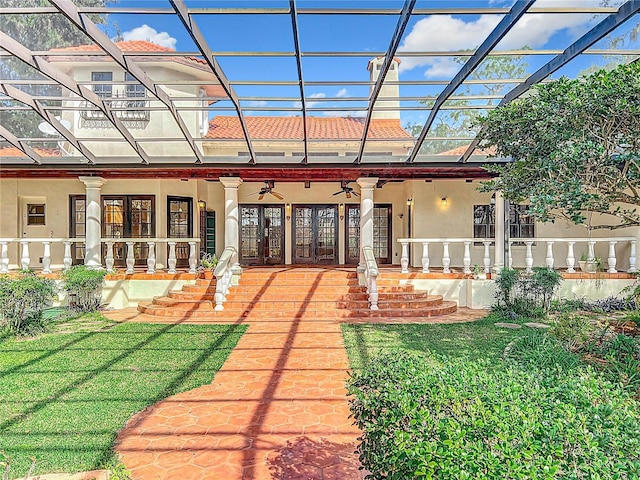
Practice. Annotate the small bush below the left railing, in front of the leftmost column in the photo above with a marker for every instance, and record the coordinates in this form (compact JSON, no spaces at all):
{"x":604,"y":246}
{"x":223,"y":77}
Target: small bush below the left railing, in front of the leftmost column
{"x":84,"y":287}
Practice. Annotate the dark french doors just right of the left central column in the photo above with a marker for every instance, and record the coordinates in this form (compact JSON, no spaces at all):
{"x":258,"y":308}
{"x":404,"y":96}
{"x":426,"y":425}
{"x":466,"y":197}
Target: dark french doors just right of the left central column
{"x":261,"y":234}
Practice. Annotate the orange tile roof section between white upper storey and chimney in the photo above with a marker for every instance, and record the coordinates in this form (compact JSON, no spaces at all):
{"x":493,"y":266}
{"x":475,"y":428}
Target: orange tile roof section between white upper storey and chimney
{"x":338,"y":128}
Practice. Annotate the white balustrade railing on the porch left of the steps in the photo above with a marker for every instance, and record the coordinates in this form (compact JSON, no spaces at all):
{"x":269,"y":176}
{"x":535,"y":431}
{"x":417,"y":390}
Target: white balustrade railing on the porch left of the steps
{"x":27,"y":246}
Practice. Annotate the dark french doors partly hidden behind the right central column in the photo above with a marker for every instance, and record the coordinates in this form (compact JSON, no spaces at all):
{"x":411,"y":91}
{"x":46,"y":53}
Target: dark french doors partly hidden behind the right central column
{"x":381,"y":233}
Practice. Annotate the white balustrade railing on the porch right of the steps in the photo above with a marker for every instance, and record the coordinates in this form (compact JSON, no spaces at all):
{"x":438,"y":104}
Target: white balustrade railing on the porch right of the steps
{"x":549,"y":243}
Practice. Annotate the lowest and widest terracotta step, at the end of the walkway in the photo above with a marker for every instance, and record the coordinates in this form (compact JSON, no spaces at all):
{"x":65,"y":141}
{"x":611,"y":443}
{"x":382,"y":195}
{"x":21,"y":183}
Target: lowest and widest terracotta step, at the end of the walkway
{"x":234,"y":314}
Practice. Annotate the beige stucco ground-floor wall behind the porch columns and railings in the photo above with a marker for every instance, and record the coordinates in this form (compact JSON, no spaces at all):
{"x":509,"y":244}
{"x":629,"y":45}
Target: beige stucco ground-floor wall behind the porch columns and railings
{"x":429,"y":217}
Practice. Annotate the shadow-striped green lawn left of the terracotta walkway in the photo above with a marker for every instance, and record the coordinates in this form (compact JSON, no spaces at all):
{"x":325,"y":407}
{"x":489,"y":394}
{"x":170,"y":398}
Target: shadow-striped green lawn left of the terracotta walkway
{"x":64,"y":396}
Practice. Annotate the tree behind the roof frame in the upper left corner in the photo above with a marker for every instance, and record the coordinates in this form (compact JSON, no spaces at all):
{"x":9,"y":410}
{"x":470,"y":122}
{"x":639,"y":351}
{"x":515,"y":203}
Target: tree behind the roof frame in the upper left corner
{"x":38,"y":32}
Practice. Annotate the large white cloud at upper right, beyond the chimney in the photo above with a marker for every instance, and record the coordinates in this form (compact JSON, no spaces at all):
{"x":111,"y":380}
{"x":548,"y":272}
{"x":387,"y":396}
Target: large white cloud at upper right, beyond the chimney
{"x":446,"y":33}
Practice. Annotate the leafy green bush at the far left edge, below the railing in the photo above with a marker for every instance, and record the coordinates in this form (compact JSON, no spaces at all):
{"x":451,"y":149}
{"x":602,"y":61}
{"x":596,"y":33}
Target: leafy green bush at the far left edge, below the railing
{"x":22,"y":299}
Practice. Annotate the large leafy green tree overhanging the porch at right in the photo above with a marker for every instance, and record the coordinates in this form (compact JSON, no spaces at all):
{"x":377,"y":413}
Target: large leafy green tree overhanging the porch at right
{"x":575,"y":148}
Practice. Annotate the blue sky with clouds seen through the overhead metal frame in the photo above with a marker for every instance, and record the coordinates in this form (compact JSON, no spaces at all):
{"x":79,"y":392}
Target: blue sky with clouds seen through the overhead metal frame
{"x":371,"y":33}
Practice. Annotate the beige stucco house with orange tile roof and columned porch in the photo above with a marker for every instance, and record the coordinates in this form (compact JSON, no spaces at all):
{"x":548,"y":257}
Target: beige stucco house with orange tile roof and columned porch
{"x":153,"y":167}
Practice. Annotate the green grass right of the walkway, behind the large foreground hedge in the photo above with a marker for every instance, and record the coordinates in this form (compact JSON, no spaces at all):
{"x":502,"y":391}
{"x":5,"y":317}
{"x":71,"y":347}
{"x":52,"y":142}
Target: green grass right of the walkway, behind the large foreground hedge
{"x":473,"y":340}
